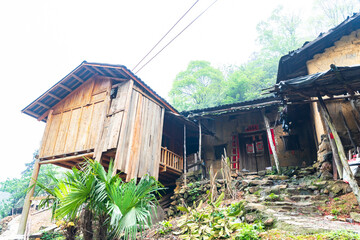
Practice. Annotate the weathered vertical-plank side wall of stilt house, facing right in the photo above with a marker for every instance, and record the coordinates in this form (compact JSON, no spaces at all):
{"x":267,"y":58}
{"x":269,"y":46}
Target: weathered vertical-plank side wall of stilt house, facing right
{"x":139,"y":145}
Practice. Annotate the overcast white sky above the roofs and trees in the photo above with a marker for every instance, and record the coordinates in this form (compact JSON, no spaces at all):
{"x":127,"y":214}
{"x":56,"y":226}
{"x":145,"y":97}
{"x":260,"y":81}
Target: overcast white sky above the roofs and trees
{"x":42,"y":41}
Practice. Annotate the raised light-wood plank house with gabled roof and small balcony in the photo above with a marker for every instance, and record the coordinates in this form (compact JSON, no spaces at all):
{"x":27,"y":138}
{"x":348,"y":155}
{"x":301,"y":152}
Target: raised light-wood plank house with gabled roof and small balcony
{"x":105,"y":112}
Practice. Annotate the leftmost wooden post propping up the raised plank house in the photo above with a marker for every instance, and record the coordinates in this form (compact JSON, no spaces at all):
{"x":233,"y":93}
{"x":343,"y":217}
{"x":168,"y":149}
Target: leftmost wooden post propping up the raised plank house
{"x":27,"y":201}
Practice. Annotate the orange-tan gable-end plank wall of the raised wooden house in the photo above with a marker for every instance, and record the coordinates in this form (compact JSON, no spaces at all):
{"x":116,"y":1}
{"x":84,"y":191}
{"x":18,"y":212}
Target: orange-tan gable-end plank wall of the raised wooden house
{"x":74,"y":123}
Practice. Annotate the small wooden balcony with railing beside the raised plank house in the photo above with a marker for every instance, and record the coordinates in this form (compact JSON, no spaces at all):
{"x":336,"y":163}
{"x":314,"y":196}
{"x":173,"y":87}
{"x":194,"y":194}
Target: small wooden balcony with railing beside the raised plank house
{"x":171,"y":162}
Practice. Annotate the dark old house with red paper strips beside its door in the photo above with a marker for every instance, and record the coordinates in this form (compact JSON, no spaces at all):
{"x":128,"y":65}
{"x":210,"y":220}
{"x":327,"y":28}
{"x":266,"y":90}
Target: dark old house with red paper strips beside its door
{"x":240,"y":129}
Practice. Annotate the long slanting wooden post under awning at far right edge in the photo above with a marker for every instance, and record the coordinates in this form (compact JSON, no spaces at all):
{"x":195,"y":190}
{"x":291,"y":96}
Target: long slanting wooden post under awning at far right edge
{"x":352,"y":182}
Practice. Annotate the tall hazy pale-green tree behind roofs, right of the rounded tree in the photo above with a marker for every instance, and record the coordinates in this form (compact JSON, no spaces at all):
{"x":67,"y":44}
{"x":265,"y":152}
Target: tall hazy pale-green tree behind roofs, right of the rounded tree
{"x":277,"y":36}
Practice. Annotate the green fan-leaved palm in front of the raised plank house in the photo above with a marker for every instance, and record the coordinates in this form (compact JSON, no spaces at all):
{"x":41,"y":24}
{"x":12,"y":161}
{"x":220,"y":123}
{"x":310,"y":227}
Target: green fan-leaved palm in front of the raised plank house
{"x":127,"y":206}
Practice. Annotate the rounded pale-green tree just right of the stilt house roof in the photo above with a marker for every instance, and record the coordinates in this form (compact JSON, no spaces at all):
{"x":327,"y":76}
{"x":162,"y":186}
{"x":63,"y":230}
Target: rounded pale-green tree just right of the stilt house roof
{"x":199,"y":86}
